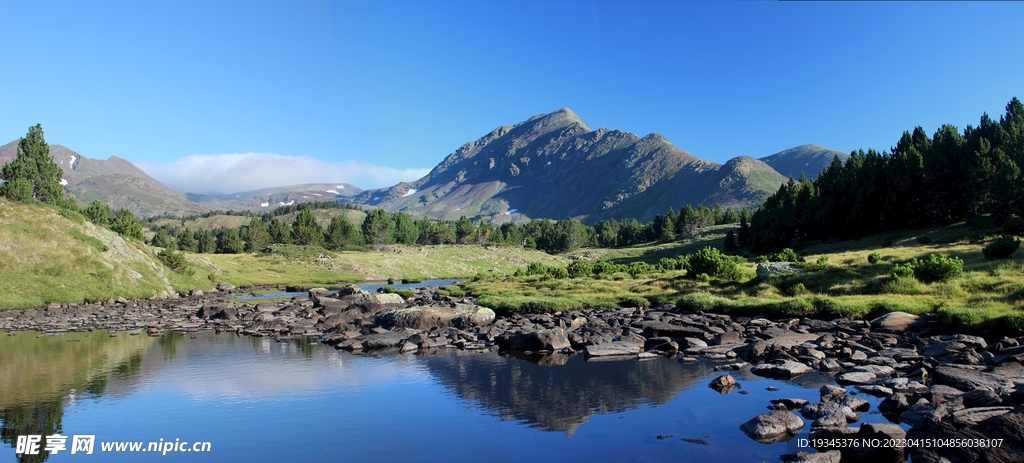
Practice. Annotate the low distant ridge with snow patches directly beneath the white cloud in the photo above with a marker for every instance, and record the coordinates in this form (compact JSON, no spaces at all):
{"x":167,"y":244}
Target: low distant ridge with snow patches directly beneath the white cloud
{"x":276,"y":197}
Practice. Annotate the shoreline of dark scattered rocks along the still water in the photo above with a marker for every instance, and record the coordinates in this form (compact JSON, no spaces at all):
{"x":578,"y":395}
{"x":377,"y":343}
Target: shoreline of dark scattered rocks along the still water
{"x":946,"y":386}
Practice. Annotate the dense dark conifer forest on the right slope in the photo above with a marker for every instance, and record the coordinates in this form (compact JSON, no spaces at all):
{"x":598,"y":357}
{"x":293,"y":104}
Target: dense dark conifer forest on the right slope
{"x":923,"y":182}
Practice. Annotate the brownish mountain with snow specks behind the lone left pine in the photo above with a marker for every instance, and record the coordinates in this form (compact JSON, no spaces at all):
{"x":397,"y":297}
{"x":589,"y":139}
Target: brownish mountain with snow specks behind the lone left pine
{"x":115,"y":182}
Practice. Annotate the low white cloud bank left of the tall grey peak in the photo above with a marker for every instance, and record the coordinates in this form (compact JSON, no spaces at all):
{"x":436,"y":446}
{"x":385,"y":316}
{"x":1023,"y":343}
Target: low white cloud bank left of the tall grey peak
{"x":220,"y":175}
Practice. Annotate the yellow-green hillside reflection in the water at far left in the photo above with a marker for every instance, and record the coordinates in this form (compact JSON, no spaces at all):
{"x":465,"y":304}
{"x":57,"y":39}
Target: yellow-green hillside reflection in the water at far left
{"x":40,"y":376}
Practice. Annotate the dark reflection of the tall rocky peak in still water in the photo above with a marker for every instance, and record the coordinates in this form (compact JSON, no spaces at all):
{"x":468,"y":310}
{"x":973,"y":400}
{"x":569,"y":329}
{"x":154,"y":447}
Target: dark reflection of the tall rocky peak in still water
{"x":561,"y":393}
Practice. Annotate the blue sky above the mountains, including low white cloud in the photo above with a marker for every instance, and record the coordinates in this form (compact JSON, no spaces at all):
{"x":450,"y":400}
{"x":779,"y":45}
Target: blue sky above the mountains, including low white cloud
{"x":376,"y":93}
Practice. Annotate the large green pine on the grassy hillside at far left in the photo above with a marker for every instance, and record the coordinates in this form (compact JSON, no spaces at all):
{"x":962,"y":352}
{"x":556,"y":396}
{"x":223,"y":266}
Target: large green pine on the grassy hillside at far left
{"x":33,"y":174}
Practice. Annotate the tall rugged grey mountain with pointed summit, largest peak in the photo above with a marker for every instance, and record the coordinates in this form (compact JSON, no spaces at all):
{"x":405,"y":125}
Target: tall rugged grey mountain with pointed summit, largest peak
{"x":554,"y":166}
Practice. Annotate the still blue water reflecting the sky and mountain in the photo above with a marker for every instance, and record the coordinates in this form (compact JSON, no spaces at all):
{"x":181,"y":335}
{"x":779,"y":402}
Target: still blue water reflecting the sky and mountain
{"x":259,"y":400}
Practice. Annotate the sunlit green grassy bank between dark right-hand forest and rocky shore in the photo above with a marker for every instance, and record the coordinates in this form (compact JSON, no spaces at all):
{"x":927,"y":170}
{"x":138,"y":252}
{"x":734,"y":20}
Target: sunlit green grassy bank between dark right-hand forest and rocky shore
{"x":990,"y":296}
